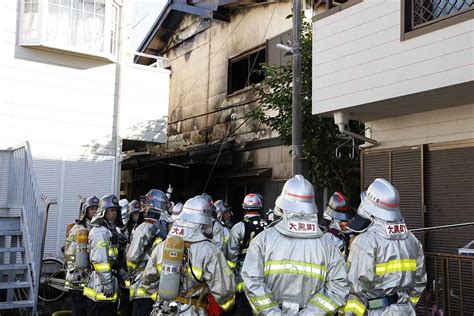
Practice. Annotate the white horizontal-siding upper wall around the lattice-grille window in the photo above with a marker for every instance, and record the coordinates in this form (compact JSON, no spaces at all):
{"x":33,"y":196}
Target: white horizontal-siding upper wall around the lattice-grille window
{"x":358,"y":57}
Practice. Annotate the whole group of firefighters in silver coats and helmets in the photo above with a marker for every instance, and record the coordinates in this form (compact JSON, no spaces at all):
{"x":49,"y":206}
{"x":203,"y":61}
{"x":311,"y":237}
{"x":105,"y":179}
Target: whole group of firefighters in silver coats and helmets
{"x":167,"y":258}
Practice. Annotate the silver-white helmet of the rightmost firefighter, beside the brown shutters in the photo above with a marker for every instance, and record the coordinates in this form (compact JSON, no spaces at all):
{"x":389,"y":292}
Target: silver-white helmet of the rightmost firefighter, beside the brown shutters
{"x":382,"y":201}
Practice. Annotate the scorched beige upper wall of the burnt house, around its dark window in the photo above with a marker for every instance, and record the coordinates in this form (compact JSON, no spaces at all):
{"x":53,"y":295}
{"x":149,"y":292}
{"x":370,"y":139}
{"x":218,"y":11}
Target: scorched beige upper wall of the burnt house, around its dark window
{"x":199,"y":108}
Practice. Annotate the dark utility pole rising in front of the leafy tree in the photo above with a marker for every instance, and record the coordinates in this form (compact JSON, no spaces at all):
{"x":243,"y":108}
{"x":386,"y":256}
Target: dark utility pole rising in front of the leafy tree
{"x":296,"y":133}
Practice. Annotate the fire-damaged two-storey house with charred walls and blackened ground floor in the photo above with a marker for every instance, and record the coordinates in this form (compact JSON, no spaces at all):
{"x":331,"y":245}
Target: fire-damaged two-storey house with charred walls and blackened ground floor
{"x":214,"y":52}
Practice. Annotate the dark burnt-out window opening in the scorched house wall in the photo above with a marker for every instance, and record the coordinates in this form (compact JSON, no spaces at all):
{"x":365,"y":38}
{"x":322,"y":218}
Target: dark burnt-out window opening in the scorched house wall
{"x":244,"y":70}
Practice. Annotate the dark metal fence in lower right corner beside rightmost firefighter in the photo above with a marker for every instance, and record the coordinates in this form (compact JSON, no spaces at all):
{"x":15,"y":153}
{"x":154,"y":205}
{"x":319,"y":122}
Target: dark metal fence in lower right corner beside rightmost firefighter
{"x":450,"y":288}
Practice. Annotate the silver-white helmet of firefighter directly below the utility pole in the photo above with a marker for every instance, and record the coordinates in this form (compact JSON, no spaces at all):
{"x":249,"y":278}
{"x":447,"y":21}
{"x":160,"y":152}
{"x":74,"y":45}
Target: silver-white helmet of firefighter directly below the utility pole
{"x":297,"y":196}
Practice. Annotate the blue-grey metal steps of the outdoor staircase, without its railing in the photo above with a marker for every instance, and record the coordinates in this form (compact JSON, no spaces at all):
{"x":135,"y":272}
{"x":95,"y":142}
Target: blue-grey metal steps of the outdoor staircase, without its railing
{"x":16,"y":288}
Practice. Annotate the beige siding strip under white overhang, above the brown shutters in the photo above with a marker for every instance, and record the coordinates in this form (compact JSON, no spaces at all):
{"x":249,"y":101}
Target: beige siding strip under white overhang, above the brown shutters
{"x":438,"y":126}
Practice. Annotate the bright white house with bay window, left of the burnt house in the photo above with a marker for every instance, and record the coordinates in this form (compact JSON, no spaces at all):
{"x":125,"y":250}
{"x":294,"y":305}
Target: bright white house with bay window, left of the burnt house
{"x":68,"y":86}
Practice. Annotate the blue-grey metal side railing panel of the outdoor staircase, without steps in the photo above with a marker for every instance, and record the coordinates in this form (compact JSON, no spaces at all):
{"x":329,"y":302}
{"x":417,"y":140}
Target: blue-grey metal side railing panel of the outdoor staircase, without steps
{"x":23,"y":195}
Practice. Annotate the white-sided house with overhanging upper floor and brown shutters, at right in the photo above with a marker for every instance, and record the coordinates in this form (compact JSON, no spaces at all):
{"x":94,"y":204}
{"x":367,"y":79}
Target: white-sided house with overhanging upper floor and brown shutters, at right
{"x":406,"y":68}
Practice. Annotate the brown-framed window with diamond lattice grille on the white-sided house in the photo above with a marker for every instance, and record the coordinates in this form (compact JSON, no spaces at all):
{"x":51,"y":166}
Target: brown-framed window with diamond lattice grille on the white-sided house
{"x":431,"y":15}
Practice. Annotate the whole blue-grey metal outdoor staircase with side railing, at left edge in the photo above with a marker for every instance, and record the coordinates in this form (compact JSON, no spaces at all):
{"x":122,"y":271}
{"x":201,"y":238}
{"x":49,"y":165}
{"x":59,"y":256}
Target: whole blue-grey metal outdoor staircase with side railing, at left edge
{"x":21,"y":232}
